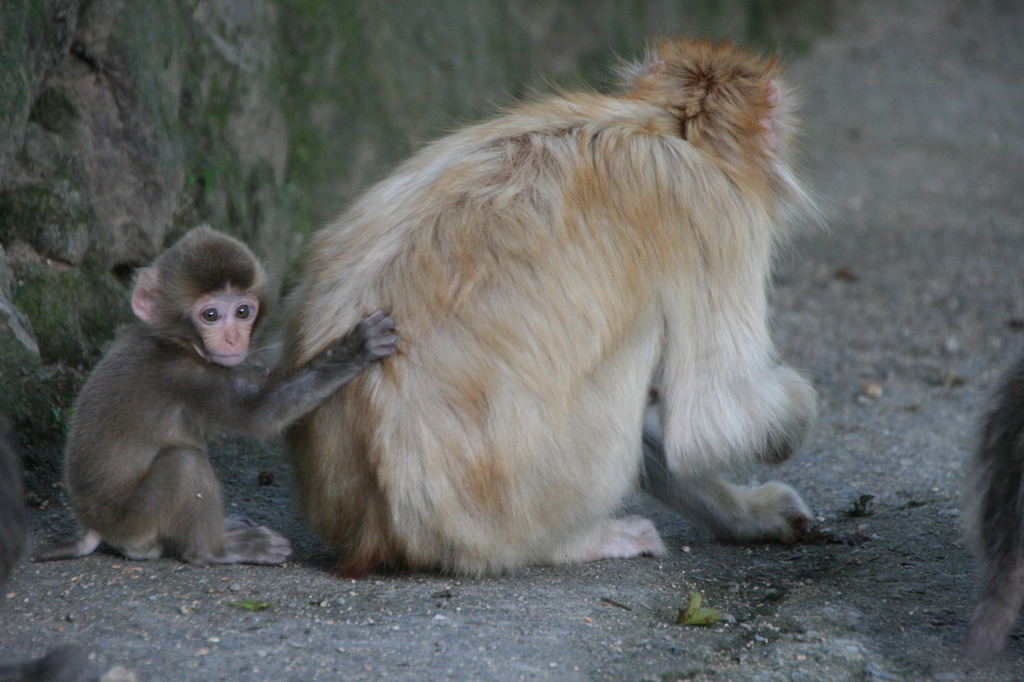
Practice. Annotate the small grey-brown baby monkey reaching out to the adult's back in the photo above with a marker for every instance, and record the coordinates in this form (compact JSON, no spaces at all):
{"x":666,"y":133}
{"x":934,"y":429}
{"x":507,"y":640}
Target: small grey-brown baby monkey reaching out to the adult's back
{"x":137,"y":465}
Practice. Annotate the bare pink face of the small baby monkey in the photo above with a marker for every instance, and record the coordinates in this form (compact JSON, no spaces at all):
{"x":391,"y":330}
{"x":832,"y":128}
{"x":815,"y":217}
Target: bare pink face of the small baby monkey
{"x":226,"y":321}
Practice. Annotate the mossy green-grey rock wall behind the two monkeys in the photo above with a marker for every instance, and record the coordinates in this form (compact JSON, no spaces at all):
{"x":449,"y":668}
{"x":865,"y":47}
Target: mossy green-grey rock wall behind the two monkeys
{"x":124,"y":123}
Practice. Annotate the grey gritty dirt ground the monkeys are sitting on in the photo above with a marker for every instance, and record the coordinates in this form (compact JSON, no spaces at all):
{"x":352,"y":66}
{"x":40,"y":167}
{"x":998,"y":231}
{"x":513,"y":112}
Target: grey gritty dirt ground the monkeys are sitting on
{"x":915,"y":113}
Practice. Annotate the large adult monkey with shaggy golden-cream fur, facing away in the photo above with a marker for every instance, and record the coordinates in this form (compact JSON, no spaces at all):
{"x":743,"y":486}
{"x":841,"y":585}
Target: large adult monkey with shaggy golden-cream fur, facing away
{"x":545,"y":267}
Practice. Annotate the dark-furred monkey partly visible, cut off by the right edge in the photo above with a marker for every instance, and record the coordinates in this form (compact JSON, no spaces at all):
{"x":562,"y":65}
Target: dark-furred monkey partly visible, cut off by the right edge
{"x":998,"y":492}
